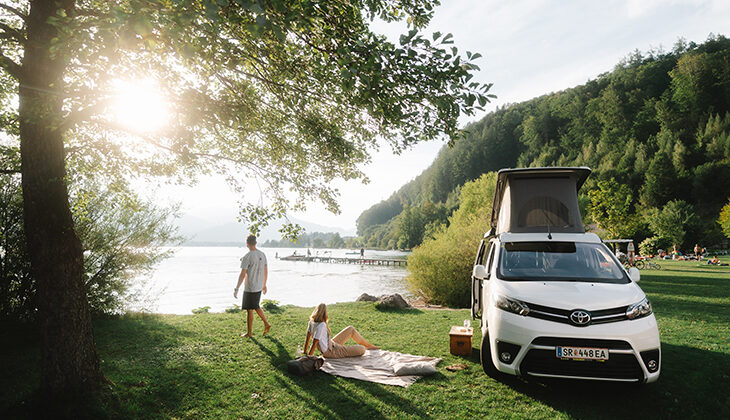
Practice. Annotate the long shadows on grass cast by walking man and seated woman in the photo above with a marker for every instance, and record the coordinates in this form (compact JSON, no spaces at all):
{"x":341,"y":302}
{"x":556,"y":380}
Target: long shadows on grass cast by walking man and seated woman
{"x":329,"y":398}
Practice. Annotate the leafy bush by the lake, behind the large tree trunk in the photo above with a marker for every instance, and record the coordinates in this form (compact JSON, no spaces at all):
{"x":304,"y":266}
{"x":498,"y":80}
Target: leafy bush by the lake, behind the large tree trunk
{"x":122,"y":238}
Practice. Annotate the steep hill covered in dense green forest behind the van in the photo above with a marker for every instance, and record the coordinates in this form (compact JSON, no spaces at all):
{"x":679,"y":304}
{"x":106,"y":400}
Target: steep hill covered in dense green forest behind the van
{"x":659,"y":124}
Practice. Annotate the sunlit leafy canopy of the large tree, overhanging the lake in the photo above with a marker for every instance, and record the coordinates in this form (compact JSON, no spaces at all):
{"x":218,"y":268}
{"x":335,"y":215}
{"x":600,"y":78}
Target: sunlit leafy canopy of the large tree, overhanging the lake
{"x":290,"y":93}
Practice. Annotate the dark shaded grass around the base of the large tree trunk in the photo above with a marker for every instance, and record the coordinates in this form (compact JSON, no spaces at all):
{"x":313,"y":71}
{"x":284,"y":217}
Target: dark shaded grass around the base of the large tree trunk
{"x":138,"y":354}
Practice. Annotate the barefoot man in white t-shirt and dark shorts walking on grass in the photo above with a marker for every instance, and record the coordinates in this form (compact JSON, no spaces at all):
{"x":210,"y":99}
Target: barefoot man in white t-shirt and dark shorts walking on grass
{"x":254,"y":272}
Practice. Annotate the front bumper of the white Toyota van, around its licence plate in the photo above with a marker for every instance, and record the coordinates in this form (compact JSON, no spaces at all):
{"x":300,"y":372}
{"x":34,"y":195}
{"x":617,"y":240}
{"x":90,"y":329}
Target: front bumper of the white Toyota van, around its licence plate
{"x":527,"y":346}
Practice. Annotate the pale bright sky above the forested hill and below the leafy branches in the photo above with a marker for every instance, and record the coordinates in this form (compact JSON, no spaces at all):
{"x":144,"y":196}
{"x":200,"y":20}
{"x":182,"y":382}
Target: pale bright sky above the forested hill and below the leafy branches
{"x":529,"y":48}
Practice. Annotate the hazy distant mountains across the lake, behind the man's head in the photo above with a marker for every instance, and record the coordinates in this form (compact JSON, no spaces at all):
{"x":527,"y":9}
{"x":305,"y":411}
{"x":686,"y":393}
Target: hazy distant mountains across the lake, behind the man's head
{"x":201,"y":231}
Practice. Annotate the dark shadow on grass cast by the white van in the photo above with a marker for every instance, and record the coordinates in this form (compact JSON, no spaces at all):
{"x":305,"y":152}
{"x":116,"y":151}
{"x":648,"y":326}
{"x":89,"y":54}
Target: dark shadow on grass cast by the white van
{"x":693,"y":384}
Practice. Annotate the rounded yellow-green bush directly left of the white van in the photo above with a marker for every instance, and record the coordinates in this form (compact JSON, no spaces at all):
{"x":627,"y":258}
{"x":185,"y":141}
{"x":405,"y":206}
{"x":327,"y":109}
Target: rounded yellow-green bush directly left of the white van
{"x":440,"y":269}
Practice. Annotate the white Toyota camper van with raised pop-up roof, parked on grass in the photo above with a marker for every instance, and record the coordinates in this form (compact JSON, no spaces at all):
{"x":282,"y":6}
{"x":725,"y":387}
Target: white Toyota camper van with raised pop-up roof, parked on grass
{"x":553,"y":300}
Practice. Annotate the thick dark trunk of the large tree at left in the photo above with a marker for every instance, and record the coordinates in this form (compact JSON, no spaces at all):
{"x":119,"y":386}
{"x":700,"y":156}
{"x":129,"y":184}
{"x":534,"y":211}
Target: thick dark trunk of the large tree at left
{"x":69,"y":360}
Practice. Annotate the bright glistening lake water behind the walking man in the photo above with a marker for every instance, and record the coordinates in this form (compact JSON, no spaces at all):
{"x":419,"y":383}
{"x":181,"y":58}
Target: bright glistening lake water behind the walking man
{"x":205,"y":276}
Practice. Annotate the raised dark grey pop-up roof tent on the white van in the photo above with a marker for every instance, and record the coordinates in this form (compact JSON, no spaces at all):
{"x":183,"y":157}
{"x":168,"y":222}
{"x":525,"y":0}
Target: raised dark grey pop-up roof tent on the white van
{"x":538,"y":200}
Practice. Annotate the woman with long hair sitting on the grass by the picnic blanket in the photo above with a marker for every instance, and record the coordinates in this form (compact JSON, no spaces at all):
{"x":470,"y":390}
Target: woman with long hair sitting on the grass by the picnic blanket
{"x":319,"y":330}
